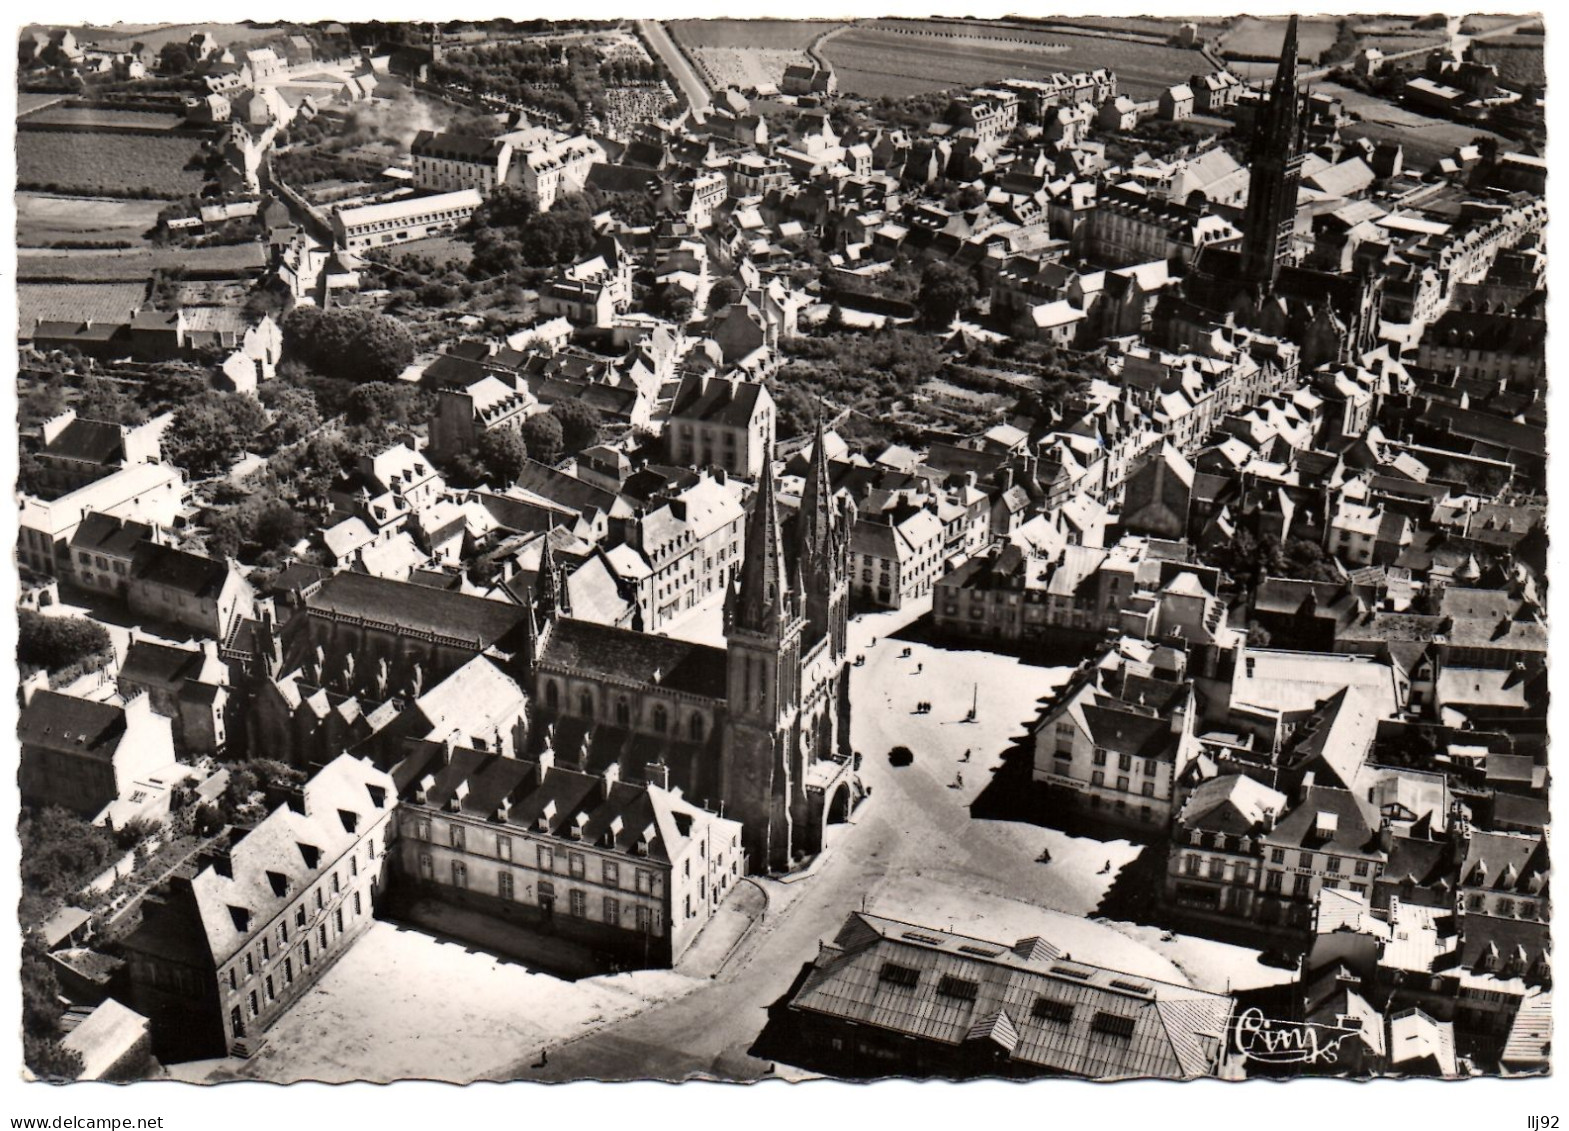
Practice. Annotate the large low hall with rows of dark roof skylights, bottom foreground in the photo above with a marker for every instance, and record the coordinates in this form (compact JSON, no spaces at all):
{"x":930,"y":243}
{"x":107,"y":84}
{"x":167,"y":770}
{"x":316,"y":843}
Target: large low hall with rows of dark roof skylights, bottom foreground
{"x":890,"y":998}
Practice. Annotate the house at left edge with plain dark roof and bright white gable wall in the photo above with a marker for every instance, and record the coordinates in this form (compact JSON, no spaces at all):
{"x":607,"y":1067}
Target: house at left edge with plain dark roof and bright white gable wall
{"x":86,"y":755}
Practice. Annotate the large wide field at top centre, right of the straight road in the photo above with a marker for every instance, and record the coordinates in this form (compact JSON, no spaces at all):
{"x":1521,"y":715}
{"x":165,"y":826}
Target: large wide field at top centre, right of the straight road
{"x":900,"y":59}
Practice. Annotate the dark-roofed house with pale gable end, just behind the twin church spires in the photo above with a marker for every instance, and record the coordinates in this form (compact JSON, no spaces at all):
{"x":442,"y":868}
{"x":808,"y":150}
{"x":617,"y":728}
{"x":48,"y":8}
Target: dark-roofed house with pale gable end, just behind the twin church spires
{"x":721,"y":423}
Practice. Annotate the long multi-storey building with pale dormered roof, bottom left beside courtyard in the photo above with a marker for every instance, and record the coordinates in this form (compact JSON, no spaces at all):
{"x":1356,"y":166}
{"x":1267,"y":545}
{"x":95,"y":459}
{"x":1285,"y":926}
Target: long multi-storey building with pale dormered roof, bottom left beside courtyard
{"x":227,"y":947}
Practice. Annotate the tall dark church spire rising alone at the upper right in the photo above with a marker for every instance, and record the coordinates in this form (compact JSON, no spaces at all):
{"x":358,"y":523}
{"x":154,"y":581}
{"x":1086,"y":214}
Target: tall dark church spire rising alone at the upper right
{"x":1276,"y":172}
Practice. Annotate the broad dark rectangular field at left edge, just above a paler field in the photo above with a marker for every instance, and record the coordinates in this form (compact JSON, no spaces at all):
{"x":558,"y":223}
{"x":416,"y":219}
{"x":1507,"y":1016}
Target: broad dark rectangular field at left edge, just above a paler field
{"x":109,"y":162}
